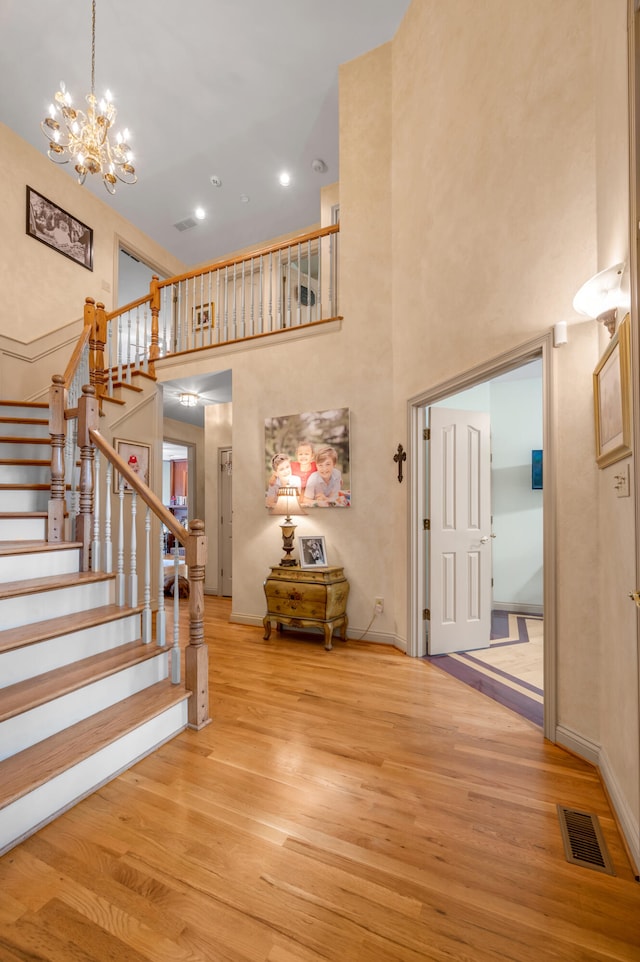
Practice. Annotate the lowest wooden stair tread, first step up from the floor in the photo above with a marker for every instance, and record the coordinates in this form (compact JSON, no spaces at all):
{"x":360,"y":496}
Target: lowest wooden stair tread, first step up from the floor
{"x":35,"y":766}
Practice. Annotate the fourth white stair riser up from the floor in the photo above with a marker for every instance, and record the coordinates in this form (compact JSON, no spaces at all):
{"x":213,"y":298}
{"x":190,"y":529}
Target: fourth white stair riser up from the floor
{"x":25,"y":609}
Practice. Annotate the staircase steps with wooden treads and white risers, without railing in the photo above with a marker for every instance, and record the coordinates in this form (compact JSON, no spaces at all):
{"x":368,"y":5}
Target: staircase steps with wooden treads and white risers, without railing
{"x":81,"y":697}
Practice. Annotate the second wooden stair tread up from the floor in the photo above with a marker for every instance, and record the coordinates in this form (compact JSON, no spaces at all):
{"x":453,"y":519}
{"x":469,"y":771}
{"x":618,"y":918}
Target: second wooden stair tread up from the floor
{"x":32,"y":692}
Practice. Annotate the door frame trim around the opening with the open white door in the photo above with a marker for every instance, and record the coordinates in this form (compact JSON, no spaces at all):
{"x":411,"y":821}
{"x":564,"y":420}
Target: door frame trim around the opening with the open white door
{"x":539,"y":347}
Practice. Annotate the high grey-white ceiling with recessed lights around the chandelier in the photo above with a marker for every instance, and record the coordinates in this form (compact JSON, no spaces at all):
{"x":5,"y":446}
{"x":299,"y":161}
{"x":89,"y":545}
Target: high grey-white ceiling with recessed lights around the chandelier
{"x":234,"y":89}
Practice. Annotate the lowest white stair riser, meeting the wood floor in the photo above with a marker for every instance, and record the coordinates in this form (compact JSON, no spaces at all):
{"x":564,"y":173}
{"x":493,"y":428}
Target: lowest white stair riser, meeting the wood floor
{"x":23,"y":817}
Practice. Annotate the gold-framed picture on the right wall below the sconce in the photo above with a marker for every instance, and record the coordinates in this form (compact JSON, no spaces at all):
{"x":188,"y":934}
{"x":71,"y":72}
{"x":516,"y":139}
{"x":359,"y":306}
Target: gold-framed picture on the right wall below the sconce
{"x":612,"y":399}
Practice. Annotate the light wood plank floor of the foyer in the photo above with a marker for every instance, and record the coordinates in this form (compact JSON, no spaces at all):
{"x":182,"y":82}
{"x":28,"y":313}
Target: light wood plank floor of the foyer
{"x":346,"y":806}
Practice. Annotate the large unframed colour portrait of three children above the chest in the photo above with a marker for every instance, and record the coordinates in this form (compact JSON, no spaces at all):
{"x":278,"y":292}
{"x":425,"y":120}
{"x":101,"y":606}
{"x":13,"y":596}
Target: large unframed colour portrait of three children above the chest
{"x":310,"y":452}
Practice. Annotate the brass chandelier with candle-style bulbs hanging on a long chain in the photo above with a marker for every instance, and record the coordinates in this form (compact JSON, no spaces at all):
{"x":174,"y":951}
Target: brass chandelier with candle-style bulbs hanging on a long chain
{"x":82,"y":138}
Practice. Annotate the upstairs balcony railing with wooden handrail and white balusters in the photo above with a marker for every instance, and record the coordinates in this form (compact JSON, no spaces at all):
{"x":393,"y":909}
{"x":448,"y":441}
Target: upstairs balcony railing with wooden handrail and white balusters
{"x":277,"y":288}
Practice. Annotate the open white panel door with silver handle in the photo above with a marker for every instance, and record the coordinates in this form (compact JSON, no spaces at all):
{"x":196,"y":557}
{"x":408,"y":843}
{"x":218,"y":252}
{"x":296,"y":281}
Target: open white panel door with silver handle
{"x":459,"y":556}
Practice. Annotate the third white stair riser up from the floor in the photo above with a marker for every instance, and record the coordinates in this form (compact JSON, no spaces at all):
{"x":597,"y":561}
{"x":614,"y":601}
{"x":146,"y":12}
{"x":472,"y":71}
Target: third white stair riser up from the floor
{"x":32,"y":660}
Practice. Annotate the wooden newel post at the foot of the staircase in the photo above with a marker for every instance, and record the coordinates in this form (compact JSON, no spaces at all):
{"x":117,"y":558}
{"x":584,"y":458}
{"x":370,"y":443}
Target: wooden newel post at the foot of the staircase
{"x":197,"y":653}
